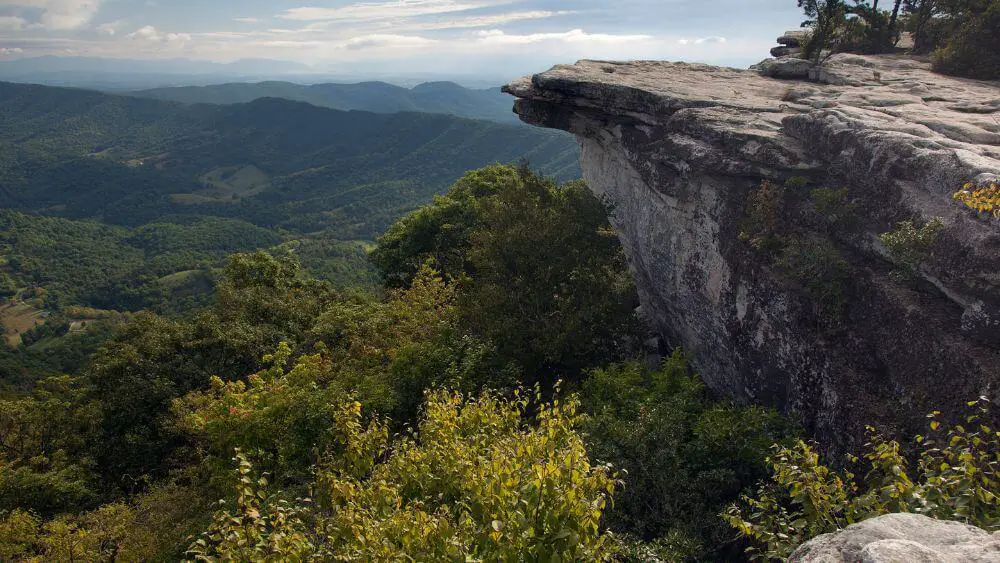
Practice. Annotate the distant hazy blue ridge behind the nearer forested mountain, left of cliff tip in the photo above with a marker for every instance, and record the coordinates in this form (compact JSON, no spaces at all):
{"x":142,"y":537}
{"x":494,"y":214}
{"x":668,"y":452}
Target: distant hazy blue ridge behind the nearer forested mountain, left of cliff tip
{"x":378,"y":97}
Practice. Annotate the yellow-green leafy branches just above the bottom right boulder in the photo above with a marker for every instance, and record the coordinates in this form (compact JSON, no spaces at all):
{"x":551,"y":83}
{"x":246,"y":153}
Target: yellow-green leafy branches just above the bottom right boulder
{"x":955,"y":478}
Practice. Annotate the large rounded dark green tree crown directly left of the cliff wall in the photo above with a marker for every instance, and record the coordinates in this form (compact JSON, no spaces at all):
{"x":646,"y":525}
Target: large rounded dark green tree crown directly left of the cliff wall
{"x":543,"y":277}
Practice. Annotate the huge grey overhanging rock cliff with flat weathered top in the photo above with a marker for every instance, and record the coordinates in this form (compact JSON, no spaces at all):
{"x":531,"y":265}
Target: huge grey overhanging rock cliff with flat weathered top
{"x":676,"y":149}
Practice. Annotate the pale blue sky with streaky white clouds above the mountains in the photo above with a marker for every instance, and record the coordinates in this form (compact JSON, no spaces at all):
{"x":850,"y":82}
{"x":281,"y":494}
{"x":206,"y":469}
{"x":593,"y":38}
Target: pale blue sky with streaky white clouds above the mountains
{"x":442,"y":36}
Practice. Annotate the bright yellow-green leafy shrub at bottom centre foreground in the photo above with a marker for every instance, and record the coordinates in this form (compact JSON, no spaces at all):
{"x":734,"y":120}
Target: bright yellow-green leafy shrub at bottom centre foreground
{"x":473,"y":481}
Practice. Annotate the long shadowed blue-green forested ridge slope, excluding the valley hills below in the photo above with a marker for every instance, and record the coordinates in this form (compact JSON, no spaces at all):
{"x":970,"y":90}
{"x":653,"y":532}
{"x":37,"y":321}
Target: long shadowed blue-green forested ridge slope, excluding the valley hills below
{"x":272,"y":162}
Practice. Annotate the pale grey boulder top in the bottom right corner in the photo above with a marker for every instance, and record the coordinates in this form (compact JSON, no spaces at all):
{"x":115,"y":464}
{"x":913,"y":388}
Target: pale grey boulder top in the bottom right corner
{"x":902,"y":538}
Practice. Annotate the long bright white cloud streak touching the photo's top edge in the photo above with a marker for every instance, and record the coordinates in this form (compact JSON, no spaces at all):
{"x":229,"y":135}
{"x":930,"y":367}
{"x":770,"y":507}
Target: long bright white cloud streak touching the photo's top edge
{"x":385,"y":10}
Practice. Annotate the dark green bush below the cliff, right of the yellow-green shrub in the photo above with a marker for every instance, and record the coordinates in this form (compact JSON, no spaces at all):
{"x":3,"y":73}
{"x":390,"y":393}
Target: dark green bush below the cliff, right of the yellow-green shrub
{"x":683,"y":456}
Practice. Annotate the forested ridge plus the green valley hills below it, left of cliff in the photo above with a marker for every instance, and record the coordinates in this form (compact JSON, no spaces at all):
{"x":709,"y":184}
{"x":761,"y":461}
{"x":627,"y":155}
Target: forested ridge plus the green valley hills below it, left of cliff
{"x":170,"y":188}
